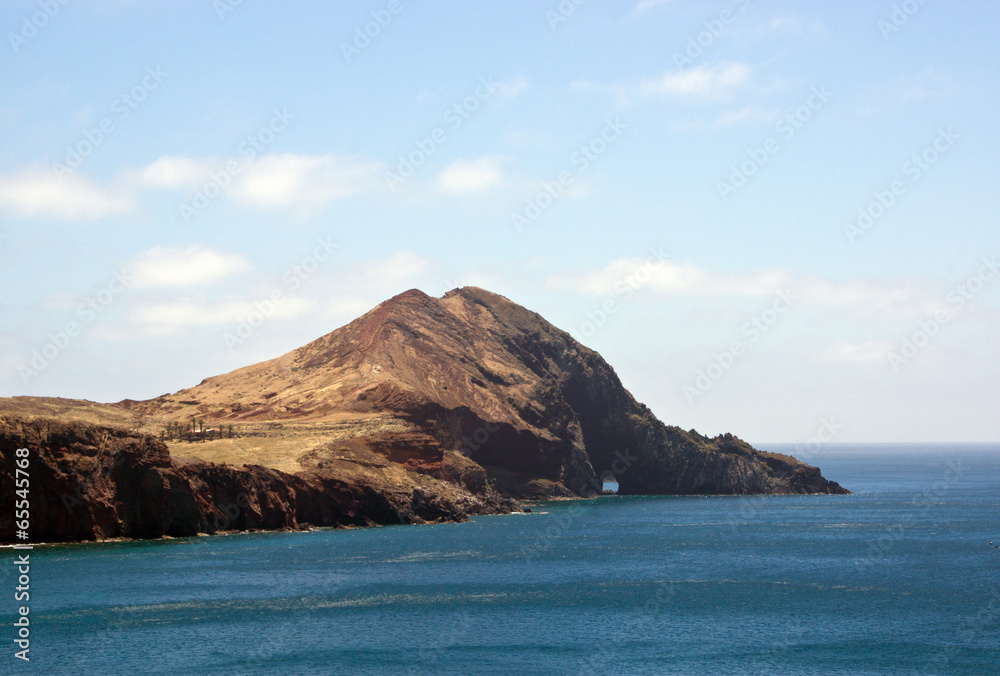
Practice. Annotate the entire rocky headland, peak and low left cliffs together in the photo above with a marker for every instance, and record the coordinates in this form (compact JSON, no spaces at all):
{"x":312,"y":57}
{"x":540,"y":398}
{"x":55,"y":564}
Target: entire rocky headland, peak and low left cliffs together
{"x":423,"y":409}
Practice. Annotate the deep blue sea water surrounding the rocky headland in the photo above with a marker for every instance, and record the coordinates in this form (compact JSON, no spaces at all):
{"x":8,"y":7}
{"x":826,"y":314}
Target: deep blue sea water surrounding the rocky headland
{"x":896,"y":579}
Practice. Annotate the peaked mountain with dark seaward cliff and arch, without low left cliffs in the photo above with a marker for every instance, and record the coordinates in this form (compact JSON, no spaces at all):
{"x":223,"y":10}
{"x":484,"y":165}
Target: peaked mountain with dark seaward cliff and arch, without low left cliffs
{"x":476,"y":374}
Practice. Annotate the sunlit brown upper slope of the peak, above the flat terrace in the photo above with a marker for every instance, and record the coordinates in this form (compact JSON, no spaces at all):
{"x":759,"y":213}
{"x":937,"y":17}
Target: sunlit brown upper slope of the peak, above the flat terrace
{"x":440,"y":350}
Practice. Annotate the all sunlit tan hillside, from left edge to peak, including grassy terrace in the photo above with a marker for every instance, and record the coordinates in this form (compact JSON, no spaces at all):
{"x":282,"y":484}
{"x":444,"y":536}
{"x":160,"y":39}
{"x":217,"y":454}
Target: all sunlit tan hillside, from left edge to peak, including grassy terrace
{"x":351,"y":388}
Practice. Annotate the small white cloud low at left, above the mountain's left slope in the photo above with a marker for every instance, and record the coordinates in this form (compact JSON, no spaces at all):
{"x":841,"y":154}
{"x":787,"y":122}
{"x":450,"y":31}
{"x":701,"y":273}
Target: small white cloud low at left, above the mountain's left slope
{"x":165,"y":267}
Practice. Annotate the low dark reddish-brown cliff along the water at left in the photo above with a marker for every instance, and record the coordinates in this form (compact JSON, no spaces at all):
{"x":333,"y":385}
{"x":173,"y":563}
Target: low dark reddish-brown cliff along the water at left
{"x":93,"y":483}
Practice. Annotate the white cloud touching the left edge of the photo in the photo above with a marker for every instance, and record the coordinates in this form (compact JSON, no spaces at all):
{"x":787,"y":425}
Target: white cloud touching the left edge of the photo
{"x":36,"y":193}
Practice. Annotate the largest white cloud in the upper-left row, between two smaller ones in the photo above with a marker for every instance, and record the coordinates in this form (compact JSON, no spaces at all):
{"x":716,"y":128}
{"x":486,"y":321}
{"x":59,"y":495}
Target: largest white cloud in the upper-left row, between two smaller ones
{"x":290,"y":179}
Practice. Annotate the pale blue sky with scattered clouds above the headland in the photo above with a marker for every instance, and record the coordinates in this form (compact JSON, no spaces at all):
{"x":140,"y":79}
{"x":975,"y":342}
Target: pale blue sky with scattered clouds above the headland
{"x":772,"y":218}
